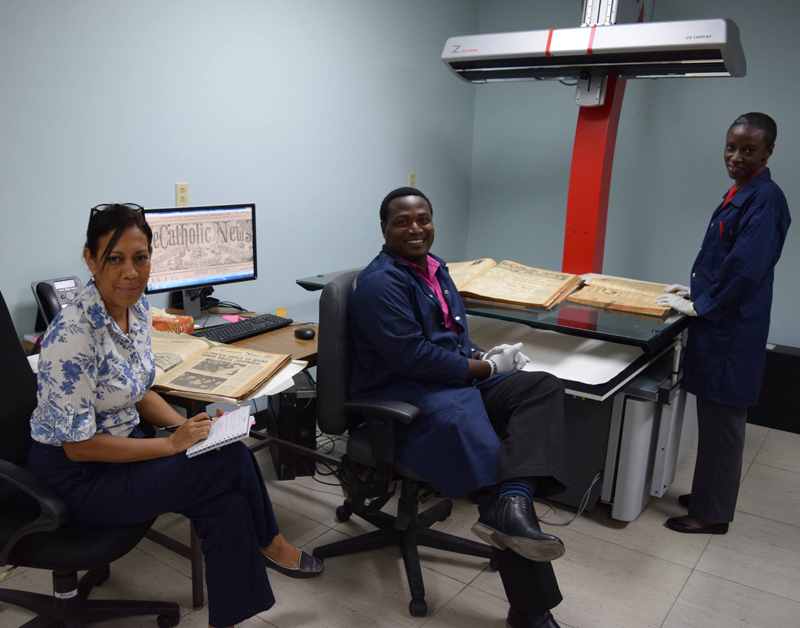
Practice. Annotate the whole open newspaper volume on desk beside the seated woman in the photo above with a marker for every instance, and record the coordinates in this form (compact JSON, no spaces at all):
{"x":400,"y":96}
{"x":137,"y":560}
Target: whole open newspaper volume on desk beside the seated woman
{"x":193,"y":365}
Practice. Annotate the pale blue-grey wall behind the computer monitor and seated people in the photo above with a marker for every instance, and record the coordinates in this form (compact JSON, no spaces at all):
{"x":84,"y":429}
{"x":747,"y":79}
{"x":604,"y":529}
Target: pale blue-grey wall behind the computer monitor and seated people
{"x":312,"y":109}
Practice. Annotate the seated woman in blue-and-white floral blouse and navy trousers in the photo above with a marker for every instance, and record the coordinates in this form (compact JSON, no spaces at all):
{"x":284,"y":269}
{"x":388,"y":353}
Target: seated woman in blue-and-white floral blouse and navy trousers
{"x":95,"y":373}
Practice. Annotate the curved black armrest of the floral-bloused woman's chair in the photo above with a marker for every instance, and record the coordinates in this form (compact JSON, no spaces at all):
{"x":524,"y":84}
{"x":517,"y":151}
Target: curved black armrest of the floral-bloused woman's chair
{"x":54,"y":510}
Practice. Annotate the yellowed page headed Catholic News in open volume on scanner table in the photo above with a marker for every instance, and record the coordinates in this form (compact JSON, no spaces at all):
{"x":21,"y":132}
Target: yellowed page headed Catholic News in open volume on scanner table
{"x":517,"y":284}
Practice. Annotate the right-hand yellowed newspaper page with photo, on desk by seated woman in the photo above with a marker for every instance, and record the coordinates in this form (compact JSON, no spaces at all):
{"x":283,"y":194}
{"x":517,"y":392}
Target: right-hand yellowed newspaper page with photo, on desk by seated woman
{"x":224,"y":371}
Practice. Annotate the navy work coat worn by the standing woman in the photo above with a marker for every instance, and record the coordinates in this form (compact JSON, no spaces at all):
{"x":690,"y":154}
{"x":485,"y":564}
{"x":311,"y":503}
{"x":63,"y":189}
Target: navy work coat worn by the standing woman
{"x":732,"y":293}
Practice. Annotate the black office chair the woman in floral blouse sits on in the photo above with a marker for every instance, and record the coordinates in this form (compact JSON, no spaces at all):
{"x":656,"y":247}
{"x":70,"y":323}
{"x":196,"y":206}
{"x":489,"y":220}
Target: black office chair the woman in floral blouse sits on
{"x":32,"y":518}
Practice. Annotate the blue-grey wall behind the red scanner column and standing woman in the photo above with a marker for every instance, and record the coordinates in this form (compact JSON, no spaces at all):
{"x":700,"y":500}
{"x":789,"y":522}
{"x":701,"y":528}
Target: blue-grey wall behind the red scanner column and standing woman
{"x":668,"y":172}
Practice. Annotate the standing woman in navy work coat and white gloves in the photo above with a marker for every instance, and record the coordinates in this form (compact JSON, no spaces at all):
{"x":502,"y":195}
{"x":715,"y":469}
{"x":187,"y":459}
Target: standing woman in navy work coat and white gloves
{"x":729,"y":301}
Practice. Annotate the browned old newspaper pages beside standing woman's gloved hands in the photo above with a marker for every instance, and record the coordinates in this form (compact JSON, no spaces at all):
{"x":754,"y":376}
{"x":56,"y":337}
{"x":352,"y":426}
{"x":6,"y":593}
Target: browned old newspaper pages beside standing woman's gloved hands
{"x":625,"y":295}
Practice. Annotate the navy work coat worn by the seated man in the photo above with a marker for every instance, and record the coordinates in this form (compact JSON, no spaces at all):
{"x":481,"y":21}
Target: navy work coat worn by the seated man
{"x":403,"y":351}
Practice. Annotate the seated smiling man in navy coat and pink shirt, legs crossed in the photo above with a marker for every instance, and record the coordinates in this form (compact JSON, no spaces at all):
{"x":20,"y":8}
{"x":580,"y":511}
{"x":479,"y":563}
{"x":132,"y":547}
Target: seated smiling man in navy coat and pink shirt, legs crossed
{"x":483,"y":422}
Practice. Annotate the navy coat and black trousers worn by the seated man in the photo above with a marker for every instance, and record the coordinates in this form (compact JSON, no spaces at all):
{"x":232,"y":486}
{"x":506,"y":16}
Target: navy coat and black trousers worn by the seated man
{"x":469,"y":434}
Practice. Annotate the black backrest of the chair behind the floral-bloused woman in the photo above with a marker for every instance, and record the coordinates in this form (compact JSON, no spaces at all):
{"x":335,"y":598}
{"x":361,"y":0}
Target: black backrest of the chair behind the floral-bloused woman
{"x":17,"y":392}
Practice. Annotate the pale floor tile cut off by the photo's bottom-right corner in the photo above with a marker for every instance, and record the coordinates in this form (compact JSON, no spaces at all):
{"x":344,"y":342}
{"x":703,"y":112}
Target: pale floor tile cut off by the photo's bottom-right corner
{"x":711,"y":602}
